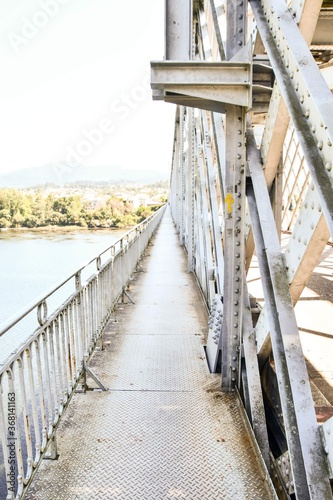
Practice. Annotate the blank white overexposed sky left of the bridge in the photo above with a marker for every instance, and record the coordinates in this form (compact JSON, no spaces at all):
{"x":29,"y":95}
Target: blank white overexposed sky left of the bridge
{"x":75,"y":84}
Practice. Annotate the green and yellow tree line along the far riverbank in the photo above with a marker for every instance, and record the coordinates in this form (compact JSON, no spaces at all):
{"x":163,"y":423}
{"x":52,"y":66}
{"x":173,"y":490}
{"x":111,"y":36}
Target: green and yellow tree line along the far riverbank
{"x":19,"y":209}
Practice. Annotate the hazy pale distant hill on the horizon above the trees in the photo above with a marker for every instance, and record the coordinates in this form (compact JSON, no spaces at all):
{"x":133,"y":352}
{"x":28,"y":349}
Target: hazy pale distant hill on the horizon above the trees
{"x":60,"y":174}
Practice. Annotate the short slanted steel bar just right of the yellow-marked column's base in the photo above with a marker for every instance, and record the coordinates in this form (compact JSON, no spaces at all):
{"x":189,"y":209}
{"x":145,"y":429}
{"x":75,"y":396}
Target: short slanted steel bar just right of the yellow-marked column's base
{"x":253,"y":377}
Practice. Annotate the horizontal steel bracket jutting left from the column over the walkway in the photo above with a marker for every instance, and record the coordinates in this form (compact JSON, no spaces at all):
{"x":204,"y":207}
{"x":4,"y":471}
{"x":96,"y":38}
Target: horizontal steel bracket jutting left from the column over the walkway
{"x":205,"y":85}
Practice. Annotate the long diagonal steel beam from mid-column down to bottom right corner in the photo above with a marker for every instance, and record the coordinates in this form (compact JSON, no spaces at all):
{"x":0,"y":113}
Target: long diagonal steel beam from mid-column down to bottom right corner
{"x":297,"y":404}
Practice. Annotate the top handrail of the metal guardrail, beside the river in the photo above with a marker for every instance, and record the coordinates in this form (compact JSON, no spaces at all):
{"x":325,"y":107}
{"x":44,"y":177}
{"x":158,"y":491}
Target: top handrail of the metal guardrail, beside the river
{"x":7,"y":325}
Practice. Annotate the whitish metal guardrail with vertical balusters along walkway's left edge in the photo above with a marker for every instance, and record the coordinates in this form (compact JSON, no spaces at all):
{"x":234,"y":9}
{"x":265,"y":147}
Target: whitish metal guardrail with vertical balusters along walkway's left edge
{"x":39,"y":378}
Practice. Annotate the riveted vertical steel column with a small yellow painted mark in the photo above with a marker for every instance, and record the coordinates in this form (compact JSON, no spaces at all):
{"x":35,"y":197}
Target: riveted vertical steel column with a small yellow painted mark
{"x":234,"y":210}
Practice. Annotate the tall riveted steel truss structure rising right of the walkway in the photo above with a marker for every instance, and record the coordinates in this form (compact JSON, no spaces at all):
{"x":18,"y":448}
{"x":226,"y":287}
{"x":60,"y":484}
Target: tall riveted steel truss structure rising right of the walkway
{"x":252,"y":158}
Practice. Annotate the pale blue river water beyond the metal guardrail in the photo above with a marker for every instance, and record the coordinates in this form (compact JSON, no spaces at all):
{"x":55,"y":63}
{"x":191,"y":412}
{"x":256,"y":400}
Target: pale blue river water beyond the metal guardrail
{"x":32,"y":263}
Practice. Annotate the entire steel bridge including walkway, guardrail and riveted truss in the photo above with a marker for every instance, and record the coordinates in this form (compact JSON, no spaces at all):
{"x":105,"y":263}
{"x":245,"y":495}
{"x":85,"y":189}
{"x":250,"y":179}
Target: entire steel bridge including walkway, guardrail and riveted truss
{"x":251,"y":199}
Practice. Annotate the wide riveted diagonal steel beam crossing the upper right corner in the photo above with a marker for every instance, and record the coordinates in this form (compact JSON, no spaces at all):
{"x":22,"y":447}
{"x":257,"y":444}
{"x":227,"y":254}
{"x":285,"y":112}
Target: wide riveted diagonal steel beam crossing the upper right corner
{"x":308,"y":98}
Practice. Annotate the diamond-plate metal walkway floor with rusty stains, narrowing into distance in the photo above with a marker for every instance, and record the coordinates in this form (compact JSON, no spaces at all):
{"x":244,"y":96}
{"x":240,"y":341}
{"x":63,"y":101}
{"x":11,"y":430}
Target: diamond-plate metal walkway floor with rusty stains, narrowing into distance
{"x":162,"y":429}
